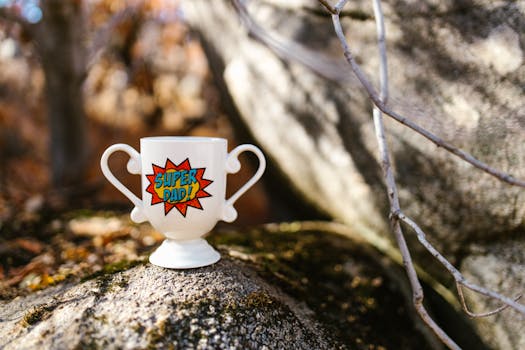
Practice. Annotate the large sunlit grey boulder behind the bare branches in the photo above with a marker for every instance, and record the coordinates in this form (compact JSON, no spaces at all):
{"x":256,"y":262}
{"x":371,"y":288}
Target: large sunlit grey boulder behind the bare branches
{"x":456,"y":68}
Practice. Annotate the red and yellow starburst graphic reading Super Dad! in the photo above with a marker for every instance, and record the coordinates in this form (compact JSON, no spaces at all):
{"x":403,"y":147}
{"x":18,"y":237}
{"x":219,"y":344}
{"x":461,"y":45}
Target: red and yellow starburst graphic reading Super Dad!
{"x":177,"y":186}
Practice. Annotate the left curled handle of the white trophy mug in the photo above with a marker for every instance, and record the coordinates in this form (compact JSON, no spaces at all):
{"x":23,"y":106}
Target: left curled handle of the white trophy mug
{"x":134,"y":167}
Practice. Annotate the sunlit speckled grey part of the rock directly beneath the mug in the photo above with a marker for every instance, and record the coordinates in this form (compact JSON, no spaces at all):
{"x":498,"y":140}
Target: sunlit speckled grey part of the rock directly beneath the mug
{"x":149,"y":307}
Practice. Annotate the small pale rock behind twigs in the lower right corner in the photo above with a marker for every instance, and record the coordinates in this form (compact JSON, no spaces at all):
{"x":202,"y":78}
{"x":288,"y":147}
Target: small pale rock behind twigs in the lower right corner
{"x":500,"y":267}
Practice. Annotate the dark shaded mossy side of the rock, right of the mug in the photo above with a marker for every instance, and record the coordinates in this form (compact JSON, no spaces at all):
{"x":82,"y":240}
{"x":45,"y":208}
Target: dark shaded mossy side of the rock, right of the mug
{"x":342,"y":281}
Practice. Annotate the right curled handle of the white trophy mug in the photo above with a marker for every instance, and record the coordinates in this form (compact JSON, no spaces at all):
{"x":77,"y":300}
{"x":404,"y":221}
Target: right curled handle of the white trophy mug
{"x":229,"y":214}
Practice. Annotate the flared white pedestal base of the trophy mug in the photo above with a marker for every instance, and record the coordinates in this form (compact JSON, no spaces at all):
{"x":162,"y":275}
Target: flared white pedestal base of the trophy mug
{"x":173,"y":254}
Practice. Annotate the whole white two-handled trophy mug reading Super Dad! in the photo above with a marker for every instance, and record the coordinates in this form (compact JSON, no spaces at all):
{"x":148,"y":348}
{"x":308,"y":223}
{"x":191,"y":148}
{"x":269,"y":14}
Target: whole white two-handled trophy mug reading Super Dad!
{"x":183,"y":192}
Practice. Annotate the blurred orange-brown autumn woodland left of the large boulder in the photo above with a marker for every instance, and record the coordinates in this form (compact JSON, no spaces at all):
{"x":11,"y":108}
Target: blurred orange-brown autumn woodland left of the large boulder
{"x":76,"y":77}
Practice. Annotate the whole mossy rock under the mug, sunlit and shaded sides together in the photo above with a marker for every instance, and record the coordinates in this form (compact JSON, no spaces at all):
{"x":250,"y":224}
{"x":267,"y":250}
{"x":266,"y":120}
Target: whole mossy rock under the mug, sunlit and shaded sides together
{"x":275,"y":290}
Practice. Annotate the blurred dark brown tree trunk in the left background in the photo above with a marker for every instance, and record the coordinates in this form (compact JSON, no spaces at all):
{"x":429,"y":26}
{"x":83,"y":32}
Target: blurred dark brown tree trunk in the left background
{"x":59,"y":40}
